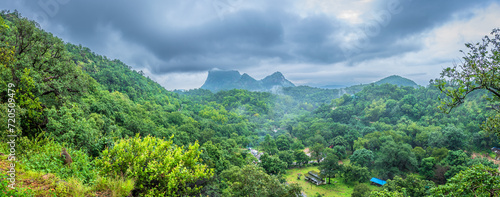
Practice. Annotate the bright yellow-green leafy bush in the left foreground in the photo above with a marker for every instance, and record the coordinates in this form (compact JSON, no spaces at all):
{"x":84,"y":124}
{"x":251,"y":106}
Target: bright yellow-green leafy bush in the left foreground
{"x":158,"y":166}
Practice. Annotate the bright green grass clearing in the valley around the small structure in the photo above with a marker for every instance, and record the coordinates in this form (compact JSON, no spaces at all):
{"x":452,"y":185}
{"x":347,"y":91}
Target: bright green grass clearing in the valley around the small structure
{"x":334,"y":189}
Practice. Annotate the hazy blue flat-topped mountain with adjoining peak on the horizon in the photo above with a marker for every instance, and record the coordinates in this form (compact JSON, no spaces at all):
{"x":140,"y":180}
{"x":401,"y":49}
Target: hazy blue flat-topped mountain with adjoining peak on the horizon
{"x":231,"y":79}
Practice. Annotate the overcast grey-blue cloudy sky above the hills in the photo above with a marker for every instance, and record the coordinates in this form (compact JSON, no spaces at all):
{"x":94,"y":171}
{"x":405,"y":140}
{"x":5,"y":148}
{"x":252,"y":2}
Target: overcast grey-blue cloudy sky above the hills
{"x":312,"y":42}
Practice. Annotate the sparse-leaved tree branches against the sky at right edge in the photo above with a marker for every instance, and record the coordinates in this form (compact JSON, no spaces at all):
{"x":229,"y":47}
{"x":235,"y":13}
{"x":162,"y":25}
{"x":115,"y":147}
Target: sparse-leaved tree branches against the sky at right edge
{"x":479,"y":70}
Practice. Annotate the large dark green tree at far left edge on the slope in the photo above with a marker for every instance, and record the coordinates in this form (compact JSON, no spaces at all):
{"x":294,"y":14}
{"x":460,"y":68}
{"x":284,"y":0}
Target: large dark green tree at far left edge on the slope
{"x":42,"y":71}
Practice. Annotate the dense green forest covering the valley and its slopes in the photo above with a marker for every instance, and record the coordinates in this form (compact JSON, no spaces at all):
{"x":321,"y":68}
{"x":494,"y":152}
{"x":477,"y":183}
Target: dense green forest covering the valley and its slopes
{"x":129,"y":136}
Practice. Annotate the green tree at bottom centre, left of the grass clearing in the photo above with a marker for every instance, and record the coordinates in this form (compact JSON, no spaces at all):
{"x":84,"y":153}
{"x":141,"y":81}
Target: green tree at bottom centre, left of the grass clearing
{"x":251,"y":180}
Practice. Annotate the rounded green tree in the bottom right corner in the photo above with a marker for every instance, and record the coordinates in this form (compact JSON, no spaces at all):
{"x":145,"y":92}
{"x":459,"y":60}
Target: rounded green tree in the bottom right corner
{"x":478,"y":180}
